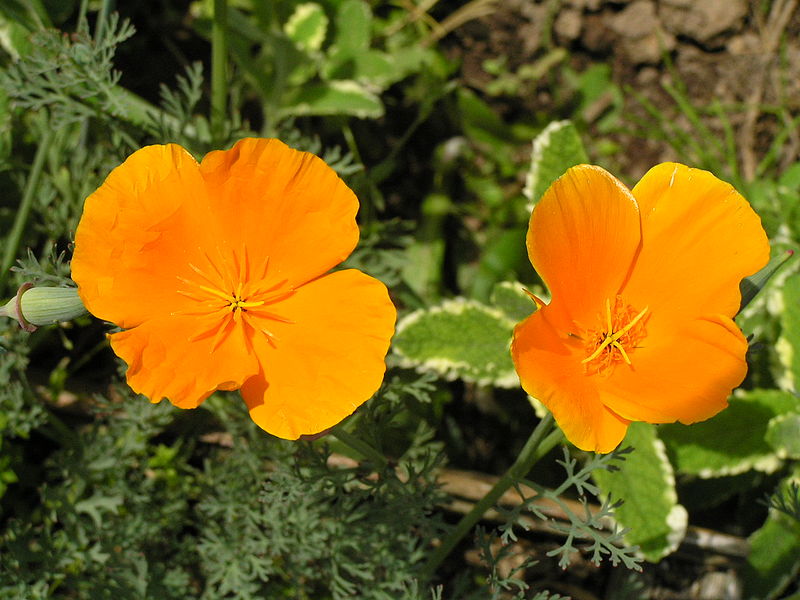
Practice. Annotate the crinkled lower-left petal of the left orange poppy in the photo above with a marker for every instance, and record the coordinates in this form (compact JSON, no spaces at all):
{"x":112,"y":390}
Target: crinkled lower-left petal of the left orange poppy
{"x":164,"y":363}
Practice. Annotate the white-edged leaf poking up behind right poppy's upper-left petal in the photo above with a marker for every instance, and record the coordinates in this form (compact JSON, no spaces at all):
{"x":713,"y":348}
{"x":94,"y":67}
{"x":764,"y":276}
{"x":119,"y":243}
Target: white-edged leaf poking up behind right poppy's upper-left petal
{"x":555,"y":150}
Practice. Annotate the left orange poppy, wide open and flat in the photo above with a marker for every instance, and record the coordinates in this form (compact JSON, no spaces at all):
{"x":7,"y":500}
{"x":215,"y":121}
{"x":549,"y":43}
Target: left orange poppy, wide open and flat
{"x":216,"y":272}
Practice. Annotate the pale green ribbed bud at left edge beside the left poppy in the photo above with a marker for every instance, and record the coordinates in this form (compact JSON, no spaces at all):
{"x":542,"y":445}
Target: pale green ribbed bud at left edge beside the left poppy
{"x":34,"y":306}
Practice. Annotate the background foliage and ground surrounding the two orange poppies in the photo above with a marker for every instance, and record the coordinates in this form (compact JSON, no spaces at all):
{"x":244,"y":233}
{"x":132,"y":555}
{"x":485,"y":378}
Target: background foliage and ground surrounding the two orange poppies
{"x":428,"y":110}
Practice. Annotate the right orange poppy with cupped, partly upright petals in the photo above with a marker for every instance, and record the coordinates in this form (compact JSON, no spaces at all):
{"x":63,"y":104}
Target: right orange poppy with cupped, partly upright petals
{"x":644,"y":285}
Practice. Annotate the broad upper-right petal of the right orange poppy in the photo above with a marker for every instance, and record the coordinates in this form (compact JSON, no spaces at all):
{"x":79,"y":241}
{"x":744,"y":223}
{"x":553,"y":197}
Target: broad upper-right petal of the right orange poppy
{"x":700,"y":238}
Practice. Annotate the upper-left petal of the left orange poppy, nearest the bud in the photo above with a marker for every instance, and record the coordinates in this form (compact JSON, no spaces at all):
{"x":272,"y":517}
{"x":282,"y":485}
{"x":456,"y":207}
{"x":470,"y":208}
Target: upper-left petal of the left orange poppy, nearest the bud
{"x":135,"y":234}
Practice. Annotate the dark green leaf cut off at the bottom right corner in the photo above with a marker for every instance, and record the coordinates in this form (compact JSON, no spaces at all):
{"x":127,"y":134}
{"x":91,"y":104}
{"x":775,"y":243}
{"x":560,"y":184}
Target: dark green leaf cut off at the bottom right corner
{"x":774,"y":558}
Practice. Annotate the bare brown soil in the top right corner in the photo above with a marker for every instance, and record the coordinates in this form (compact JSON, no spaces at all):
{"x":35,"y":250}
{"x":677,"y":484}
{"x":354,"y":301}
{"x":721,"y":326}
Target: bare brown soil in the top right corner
{"x":742,"y":56}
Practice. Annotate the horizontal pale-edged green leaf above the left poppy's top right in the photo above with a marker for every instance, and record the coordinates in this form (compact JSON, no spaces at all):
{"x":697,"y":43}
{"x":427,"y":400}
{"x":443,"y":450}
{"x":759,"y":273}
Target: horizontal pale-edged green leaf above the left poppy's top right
{"x":347,"y":98}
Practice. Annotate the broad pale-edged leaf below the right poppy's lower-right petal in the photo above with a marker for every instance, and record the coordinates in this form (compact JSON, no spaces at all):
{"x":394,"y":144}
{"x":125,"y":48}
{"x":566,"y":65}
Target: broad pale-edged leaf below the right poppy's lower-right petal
{"x":733,"y":441}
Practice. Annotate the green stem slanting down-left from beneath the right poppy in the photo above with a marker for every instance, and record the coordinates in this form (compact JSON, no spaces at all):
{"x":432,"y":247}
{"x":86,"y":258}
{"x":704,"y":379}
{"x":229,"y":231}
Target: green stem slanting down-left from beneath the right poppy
{"x":536,"y":447}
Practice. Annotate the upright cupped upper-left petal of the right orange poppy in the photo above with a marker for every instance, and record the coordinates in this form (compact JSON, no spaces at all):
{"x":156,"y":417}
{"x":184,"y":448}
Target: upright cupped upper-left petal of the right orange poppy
{"x":583,"y":238}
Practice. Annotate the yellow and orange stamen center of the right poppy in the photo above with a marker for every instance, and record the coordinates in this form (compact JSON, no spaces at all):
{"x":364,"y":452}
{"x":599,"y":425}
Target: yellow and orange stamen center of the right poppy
{"x":621,"y":330}
